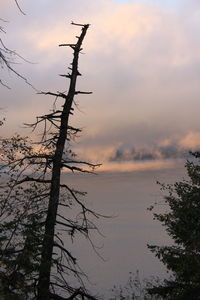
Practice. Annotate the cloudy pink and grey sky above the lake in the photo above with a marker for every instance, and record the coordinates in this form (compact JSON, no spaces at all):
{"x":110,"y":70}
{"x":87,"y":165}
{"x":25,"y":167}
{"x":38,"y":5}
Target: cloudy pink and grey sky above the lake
{"x":141,"y":60}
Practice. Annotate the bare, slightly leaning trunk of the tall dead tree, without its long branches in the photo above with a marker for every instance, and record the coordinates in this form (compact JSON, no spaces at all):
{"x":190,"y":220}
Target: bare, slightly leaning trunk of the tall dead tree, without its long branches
{"x":48,"y":241}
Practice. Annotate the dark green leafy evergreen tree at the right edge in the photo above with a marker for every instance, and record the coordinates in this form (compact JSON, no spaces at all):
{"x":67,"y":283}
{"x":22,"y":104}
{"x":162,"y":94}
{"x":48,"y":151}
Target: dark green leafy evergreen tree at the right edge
{"x":182,"y":223}
